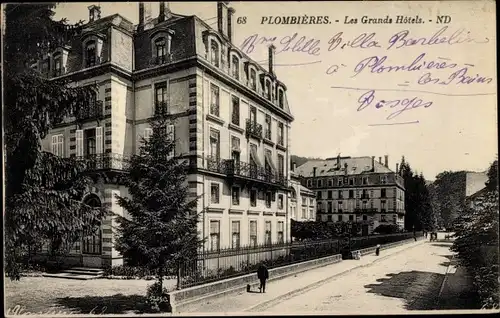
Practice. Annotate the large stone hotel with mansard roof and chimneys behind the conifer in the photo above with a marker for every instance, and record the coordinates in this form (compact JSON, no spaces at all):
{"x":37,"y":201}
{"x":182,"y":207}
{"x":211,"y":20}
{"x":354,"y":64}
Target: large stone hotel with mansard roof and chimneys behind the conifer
{"x":229,"y":117}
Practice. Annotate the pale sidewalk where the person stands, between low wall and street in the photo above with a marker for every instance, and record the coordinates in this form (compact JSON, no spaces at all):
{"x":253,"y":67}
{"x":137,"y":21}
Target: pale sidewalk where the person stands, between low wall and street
{"x":279,"y":289}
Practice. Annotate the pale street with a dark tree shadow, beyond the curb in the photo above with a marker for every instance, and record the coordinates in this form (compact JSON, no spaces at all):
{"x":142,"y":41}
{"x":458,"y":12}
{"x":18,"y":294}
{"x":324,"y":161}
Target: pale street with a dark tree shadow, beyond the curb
{"x":409,"y":280}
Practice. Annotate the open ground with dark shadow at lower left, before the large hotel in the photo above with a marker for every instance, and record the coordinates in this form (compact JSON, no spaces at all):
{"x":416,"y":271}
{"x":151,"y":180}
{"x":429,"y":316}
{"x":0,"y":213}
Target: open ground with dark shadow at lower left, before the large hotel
{"x":49,"y":295}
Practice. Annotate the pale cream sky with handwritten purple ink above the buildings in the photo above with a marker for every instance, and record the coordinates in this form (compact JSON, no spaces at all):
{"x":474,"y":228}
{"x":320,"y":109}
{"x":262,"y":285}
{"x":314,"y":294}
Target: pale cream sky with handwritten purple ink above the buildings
{"x":334,"y":89}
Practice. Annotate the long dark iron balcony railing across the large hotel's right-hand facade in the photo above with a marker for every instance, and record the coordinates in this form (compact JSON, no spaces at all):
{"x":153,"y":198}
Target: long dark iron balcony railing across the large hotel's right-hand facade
{"x":234,"y":168}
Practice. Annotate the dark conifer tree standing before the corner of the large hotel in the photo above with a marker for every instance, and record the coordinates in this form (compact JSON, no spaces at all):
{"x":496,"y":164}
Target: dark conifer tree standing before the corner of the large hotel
{"x":159,"y":229}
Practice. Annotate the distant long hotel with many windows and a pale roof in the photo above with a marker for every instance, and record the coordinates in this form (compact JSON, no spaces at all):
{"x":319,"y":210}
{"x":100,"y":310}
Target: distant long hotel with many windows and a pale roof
{"x":356,"y":189}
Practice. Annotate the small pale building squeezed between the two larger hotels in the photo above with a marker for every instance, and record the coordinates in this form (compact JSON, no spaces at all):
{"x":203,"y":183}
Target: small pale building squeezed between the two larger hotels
{"x":302,"y":200}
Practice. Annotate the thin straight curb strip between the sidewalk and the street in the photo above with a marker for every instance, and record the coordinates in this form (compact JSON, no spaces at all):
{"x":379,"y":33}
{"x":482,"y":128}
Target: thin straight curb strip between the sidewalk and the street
{"x":268,"y":303}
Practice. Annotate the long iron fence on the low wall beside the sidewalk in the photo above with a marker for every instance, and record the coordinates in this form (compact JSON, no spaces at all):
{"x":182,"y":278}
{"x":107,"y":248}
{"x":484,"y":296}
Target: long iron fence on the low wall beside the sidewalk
{"x":220,"y":264}
